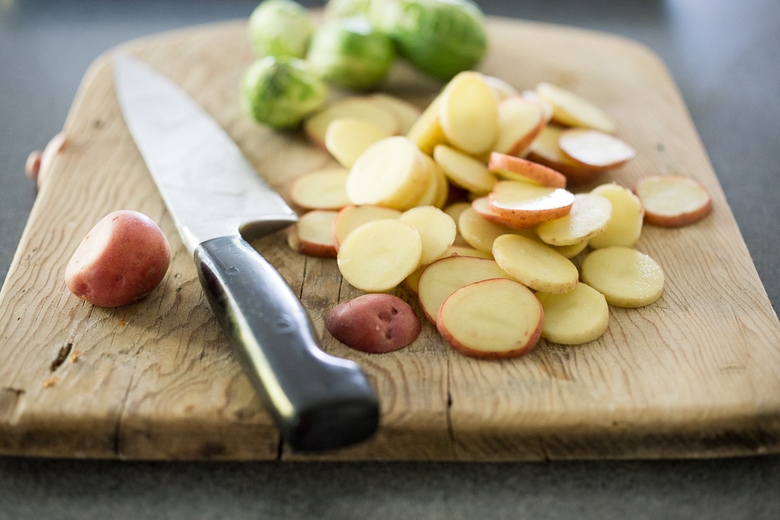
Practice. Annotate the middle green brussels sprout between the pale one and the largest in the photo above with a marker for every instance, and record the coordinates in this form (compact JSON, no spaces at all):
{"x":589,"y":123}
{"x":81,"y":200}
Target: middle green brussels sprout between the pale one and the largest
{"x":350,"y":53}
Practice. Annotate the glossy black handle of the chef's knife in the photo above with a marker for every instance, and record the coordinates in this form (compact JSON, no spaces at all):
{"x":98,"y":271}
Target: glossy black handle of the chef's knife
{"x":319,"y":402}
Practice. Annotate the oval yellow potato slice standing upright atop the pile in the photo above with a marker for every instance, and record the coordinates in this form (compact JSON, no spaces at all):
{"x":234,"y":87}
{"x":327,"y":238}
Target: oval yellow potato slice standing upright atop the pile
{"x":468,"y":113}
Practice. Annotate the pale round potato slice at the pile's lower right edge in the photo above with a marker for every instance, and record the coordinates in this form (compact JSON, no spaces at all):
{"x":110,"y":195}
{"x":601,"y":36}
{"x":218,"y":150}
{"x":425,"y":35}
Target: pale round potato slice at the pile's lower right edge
{"x":625,"y":276}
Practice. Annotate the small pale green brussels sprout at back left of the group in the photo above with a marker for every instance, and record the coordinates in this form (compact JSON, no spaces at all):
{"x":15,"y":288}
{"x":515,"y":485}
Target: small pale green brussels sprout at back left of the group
{"x":280,"y":28}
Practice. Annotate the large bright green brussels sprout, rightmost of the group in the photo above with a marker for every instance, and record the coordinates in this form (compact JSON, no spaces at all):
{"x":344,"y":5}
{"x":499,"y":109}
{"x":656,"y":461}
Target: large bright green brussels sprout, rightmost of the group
{"x":438,"y":37}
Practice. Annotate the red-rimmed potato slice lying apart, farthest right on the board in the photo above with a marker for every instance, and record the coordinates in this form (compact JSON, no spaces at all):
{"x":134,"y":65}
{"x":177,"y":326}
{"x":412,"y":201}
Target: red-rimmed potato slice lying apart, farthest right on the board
{"x":673,"y":200}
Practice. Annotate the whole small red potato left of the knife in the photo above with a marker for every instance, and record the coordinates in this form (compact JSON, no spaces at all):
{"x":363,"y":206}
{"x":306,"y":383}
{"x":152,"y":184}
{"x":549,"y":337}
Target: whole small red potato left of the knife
{"x":121,"y":260}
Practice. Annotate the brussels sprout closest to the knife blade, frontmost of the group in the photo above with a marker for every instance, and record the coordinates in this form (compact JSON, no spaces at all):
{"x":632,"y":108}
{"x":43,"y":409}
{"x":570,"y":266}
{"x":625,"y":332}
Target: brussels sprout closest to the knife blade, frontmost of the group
{"x":280,"y":91}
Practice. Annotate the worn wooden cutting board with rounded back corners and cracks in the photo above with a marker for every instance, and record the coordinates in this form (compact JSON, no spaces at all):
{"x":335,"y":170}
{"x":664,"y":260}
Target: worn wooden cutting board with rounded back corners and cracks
{"x":696,"y":374}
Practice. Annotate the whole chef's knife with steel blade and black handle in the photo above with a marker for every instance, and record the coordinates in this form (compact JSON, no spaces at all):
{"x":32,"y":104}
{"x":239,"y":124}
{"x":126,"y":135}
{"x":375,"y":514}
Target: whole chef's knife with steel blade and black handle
{"x":218,"y":203}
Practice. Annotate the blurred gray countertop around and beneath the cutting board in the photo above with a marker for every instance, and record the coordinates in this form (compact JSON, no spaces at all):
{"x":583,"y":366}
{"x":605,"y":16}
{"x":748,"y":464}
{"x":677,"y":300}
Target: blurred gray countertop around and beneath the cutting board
{"x":723,"y":56}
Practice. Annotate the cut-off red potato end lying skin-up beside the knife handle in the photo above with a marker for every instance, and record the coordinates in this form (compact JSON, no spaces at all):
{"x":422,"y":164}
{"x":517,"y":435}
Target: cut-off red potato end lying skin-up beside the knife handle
{"x":374,"y":323}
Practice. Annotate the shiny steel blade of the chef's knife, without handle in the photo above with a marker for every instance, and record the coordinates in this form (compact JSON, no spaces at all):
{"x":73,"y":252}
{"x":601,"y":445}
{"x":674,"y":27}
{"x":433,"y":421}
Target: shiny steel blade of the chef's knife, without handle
{"x":208,"y":185}
